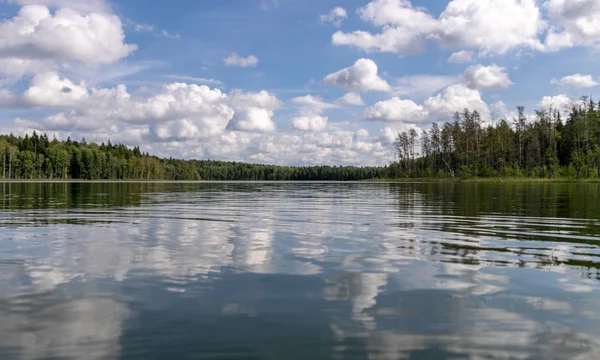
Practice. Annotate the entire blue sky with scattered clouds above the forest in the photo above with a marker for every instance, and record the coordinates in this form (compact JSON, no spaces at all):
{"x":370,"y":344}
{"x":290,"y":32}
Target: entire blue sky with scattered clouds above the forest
{"x":296,"y":82}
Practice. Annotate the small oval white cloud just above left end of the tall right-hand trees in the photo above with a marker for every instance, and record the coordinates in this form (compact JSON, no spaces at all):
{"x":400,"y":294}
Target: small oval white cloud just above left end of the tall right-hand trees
{"x":396,"y":109}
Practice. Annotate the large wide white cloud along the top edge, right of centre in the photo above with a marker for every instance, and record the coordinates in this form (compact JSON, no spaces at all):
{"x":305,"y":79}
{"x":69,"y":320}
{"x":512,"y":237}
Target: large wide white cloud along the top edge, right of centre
{"x":463,"y":24}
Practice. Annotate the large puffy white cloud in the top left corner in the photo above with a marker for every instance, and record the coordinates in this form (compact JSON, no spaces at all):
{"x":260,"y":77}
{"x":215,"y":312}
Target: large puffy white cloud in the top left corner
{"x":37,"y":34}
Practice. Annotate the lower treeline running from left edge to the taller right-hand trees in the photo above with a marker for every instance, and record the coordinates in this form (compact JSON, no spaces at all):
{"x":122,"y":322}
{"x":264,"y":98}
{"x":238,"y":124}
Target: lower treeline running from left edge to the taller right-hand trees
{"x":37,"y":157}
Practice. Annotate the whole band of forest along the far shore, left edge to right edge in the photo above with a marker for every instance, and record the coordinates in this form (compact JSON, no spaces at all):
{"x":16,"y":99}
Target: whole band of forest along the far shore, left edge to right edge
{"x":542,"y":148}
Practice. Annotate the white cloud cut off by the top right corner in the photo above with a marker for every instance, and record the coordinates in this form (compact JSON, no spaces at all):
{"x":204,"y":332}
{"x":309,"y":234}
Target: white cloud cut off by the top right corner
{"x":574,"y":23}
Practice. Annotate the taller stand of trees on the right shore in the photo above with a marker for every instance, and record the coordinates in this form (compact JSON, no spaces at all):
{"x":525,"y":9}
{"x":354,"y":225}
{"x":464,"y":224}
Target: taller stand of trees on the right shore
{"x":548,"y":147}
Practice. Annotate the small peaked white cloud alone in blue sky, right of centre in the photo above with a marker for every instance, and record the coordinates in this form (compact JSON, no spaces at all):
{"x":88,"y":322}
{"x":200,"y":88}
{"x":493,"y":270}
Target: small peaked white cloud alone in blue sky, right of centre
{"x":362,"y":76}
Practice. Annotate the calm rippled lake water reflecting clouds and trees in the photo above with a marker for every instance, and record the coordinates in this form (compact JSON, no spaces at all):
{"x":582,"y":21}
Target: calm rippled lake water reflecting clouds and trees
{"x":299,"y":271}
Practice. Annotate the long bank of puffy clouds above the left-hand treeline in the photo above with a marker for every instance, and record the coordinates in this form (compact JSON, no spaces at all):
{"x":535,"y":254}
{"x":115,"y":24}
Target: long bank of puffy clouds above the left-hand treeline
{"x":170,"y":113}
